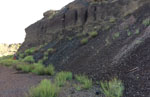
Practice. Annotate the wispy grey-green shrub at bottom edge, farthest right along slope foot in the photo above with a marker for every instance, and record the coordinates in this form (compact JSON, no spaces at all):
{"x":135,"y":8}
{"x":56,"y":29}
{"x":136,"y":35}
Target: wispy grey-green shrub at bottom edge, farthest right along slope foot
{"x":113,"y":88}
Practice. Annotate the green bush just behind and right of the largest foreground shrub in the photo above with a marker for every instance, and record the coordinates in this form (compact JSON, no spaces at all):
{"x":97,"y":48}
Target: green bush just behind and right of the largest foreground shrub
{"x":62,"y":77}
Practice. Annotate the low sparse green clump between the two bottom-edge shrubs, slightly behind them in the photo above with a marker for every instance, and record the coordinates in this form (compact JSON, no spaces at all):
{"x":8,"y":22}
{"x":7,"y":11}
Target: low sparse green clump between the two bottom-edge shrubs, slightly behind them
{"x":84,"y":80}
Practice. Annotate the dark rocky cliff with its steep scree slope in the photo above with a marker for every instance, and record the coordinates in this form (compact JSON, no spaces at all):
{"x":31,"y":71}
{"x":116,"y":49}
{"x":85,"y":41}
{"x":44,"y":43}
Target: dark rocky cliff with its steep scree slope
{"x":121,"y":48}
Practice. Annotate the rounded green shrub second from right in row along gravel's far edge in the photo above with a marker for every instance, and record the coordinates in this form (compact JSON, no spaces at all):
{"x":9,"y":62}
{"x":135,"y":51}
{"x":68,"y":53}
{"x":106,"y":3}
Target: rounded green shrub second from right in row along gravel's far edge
{"x":39,"y":69}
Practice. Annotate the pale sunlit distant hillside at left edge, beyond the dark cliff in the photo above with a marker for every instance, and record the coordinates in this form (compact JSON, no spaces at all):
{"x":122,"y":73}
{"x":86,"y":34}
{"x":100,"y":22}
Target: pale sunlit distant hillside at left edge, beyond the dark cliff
{"x":8,"y":49}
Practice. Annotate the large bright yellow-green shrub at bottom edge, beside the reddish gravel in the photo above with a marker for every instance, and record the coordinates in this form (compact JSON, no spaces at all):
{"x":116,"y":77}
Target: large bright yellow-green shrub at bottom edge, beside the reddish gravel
{"x":44,"y":89}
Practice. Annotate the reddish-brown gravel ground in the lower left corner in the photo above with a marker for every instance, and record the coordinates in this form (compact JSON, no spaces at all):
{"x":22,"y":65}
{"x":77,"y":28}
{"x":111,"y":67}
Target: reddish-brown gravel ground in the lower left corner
{"x":16,"y":84}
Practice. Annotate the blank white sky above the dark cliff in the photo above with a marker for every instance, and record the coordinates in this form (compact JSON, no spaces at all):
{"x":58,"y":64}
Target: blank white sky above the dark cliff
{"x":16,"y":15}
